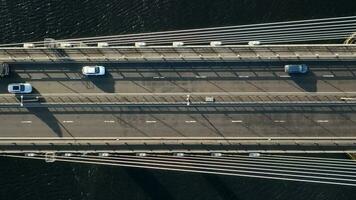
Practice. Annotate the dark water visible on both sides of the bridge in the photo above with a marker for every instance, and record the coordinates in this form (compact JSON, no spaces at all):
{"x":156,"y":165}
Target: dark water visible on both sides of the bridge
{"x":32,"y":20}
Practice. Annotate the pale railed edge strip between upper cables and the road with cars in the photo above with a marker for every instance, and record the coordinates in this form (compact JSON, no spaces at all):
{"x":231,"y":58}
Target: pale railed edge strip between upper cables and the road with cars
{"x":185,"y":53}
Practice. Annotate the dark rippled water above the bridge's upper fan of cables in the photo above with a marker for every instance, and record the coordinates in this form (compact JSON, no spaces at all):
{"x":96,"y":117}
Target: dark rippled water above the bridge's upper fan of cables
{"x":28,"y":20}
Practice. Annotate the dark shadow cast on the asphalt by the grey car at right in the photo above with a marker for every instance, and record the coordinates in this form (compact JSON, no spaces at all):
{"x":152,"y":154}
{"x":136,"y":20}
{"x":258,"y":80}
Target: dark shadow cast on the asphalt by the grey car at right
{"x":307,"y":82}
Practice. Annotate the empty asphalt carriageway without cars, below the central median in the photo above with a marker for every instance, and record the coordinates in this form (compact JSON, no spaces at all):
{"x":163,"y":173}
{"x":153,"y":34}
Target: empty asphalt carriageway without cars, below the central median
{"x":91,"y":121}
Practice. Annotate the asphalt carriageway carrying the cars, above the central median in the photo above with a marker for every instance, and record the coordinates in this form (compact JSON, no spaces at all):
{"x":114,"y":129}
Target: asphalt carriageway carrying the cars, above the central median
{"x":168,"y":77}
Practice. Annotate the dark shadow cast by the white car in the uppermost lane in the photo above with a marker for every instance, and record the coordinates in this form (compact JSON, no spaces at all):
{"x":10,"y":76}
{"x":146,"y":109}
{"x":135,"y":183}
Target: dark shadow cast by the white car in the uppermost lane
{"x":106,"y":83}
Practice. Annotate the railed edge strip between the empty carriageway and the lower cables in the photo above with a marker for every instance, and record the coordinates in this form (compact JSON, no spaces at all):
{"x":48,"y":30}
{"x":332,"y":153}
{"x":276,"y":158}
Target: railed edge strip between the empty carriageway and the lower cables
{"x":181,"y":144}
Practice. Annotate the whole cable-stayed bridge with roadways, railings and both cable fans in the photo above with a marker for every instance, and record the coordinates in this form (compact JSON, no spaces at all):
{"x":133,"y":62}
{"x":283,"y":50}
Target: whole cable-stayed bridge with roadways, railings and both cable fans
{"x":189,"y":100}
